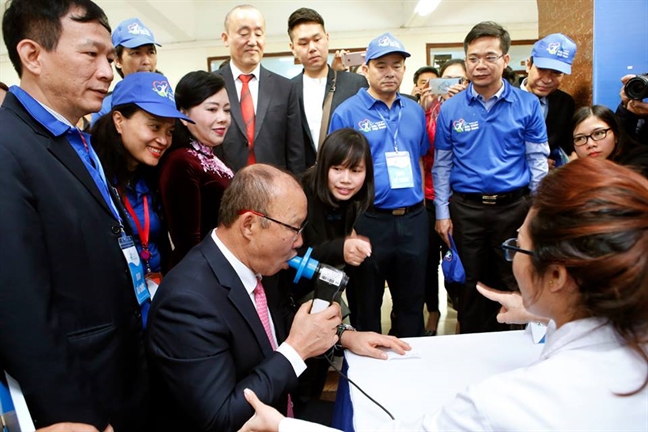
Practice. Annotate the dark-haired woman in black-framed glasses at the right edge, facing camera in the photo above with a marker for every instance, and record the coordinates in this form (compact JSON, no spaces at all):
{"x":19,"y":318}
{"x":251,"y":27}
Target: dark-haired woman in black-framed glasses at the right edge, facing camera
{"x":597,"y":133}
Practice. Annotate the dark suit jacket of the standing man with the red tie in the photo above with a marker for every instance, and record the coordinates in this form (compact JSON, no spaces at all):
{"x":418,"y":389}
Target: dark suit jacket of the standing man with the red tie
{"x":277,"y":130}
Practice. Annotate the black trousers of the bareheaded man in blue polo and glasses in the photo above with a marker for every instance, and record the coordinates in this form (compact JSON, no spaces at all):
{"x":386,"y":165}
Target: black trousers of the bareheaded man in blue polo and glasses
{"x":479,"y":230}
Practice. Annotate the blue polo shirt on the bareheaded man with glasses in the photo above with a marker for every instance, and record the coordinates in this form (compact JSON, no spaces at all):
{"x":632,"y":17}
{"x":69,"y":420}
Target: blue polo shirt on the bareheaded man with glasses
{"x":488,"y":147}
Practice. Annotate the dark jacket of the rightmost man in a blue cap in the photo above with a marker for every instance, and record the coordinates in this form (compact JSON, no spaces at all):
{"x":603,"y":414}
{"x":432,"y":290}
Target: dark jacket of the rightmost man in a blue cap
{"x":561,"y":110}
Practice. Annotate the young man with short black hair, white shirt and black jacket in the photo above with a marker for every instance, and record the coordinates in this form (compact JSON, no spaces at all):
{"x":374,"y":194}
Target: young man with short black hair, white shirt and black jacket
{"x":309,"y":43}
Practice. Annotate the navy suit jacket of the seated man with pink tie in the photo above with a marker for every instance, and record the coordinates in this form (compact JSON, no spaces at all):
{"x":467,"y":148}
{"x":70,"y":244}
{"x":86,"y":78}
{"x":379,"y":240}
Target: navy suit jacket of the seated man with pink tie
{"x":207,"y":344}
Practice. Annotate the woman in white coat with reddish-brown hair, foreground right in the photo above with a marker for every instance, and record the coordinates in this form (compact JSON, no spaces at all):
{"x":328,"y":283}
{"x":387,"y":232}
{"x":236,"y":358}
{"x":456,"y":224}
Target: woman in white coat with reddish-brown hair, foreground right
{"x":581,"y":262}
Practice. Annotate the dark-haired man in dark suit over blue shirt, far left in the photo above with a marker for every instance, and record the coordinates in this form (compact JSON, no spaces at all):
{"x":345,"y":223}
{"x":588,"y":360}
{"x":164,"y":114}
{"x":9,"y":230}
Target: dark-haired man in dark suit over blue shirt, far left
{"x":71,"y":330}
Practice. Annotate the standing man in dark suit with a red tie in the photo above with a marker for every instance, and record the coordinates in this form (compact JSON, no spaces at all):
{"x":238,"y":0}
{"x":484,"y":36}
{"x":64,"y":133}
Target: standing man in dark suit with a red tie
{"x":272,"y":132}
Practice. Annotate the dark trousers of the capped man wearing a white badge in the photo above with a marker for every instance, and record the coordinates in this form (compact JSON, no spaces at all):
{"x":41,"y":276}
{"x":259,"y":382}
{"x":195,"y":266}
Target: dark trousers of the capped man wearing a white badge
{"x":399,"y":257}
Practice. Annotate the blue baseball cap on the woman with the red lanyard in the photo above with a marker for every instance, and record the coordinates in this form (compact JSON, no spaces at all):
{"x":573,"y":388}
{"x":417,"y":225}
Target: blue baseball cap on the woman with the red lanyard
{"x":150,"y":91}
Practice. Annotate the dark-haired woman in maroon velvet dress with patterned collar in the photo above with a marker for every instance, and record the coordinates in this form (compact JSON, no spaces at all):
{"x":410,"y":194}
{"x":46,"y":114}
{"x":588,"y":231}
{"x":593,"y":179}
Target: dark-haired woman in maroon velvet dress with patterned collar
{"x":192,"y":178}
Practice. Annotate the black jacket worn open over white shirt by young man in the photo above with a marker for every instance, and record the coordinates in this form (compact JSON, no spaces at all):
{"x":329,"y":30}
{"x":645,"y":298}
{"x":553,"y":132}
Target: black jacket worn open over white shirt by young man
{"x":347,"y":85}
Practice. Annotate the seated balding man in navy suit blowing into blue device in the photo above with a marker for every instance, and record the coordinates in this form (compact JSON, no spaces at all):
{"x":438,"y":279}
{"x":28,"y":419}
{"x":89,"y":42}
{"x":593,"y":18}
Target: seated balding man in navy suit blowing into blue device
{"x":215,"y":330}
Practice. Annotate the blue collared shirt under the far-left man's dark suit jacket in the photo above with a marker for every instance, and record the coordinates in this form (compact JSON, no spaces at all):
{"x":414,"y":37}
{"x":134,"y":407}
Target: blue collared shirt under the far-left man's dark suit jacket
{"x":58,"y":125}
